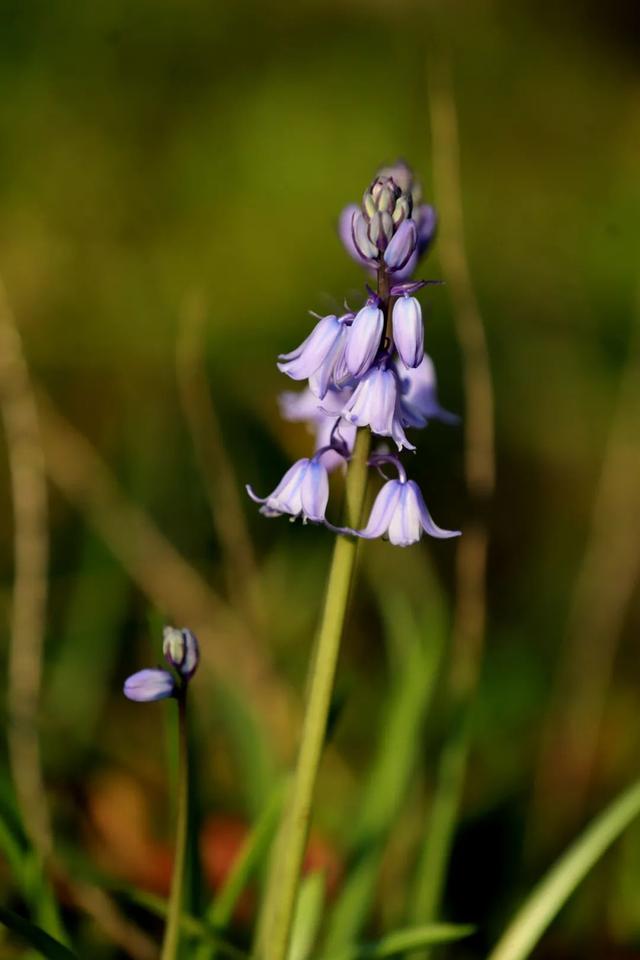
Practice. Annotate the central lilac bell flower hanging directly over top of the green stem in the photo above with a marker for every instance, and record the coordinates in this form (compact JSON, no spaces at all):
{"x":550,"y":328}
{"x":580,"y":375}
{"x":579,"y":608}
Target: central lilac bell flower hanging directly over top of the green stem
{"x":375,"y":403}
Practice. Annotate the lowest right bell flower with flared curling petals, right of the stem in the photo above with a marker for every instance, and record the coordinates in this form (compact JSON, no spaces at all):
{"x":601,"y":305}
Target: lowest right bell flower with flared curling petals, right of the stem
{"x":400,"y":514}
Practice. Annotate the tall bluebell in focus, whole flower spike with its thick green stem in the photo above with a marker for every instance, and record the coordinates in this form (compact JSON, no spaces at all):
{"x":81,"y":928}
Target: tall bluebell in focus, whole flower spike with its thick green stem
{"x":367,"y":375}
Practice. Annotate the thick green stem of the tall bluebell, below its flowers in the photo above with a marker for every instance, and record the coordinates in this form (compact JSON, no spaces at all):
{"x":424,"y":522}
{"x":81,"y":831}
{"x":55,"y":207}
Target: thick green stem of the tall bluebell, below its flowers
{"x":283,"y":886}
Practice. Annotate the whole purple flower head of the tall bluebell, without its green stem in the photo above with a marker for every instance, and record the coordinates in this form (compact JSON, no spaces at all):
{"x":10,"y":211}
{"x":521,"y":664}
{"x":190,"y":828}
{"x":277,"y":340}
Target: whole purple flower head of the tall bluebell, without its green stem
{"x":367,"y":368}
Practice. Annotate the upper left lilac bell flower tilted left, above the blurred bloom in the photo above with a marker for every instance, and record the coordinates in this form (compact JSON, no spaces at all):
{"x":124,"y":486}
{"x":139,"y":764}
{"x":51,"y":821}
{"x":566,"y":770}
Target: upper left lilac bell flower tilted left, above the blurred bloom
{"x":320,"y":357}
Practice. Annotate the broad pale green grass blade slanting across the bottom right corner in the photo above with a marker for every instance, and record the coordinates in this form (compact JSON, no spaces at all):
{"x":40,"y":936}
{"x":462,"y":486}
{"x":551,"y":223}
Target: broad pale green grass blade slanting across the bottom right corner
{"x":554,"y":890}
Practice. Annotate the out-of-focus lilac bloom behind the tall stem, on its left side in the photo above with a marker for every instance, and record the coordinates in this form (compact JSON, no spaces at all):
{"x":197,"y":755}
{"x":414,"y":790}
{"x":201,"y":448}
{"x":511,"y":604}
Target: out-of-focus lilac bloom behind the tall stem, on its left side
{"x":323,"y":418}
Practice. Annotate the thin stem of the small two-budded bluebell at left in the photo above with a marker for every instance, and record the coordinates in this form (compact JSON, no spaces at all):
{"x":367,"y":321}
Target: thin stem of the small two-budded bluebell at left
{"x":174,"y":912}
